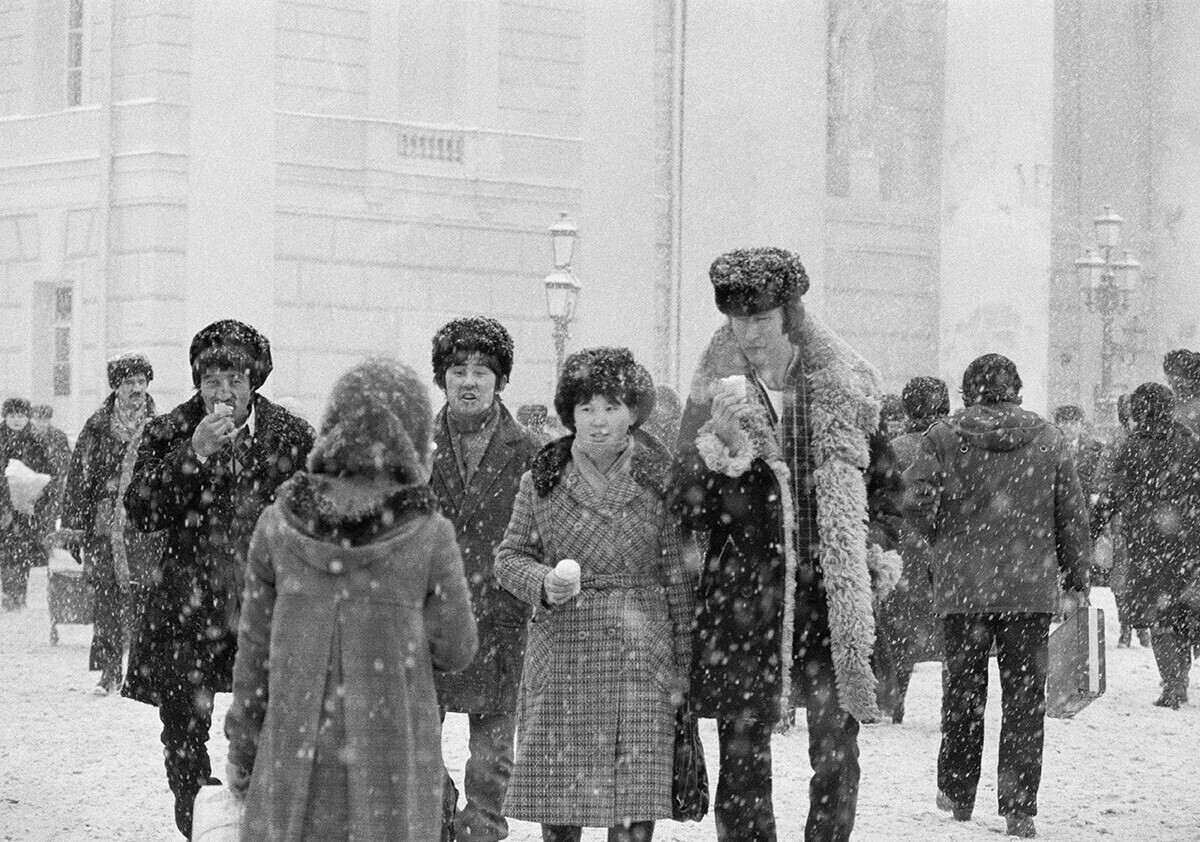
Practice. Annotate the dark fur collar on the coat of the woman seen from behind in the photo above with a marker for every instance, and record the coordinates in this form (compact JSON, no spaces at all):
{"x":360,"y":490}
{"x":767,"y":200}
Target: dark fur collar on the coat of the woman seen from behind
{"x":352,"y":512}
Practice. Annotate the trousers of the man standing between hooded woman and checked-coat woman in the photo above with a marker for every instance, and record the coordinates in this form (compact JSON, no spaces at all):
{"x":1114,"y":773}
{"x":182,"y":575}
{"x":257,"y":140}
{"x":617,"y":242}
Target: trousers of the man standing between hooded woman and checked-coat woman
{"x":485,"y":779}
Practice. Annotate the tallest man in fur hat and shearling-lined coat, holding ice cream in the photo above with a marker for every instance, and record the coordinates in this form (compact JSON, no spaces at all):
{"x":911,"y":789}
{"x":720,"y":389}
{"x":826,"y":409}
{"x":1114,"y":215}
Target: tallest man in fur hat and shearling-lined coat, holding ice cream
{"x":784,"y":466}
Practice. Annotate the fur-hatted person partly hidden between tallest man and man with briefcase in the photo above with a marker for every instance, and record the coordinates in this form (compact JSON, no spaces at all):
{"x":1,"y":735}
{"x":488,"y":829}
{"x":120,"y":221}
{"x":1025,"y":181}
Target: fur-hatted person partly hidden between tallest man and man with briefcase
{"x":907,"y":630}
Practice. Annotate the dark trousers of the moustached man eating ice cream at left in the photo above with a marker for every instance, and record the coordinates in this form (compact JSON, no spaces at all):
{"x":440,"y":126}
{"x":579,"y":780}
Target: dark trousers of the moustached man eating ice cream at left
{"x":187,"y":718}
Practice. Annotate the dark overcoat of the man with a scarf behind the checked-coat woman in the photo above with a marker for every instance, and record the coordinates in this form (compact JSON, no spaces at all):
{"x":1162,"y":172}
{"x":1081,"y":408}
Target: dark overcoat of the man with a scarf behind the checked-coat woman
{"x":481,"y":513}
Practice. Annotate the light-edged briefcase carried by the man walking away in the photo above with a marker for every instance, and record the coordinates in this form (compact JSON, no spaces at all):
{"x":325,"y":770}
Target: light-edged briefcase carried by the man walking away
{"x":1076,"y":676}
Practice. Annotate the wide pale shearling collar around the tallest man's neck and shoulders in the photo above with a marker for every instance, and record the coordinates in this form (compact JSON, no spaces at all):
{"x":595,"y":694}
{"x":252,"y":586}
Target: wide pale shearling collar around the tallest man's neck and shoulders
{"x":841,"y":376}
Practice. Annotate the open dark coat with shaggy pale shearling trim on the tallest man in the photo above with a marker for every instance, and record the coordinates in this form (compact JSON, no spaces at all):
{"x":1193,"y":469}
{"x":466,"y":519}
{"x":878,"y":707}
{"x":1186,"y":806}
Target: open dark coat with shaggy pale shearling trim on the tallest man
{"x":755,"y":578}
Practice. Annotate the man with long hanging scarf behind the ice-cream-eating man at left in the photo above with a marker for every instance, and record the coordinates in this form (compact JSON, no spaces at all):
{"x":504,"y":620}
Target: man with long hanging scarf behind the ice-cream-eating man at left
{"x":121,"y":563}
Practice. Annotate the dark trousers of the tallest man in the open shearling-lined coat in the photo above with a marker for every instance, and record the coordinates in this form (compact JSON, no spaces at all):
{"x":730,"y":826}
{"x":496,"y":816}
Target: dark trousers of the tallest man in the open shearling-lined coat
{"x":743,"y":807}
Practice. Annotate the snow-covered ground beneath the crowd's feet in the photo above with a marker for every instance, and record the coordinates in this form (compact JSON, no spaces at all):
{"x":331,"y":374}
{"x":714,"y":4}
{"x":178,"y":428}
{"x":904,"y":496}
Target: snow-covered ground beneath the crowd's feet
{"x":79,"y":768}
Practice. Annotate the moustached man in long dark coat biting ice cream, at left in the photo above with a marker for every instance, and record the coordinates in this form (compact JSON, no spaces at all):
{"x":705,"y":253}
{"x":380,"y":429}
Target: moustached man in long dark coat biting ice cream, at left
{"x":205,"y":473}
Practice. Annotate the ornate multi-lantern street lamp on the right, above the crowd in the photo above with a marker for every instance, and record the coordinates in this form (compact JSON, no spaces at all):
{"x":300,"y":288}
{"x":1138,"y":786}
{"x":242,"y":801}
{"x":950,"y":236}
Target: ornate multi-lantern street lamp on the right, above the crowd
{"x":1107,"y":282}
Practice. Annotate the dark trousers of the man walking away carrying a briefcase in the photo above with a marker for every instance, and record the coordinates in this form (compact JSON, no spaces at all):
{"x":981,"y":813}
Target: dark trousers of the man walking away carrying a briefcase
{"x":1023,"y":655}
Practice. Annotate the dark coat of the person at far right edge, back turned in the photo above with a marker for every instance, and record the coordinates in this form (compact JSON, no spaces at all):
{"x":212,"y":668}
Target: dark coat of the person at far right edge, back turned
{"x":1155,"y":488}
